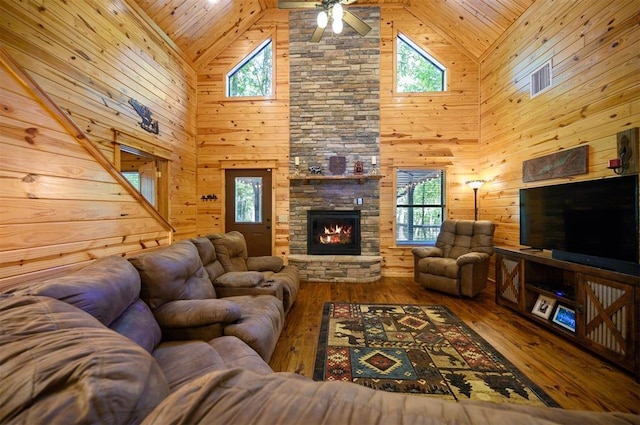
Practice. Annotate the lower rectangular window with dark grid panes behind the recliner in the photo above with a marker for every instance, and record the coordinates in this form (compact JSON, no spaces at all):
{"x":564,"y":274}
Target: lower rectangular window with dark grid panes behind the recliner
{"x":420,"y":206}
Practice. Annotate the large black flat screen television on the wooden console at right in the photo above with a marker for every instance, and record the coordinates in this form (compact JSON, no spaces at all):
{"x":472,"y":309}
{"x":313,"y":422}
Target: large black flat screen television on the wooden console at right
{"x":591,"y":222}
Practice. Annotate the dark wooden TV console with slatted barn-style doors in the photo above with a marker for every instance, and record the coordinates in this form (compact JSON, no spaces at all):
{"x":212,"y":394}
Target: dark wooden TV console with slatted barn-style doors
{"x":605,"y":302}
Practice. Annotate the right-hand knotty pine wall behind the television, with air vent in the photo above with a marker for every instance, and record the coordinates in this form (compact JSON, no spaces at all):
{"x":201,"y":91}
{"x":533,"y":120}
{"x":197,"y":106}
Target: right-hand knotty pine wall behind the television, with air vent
{"x":593,"y":46}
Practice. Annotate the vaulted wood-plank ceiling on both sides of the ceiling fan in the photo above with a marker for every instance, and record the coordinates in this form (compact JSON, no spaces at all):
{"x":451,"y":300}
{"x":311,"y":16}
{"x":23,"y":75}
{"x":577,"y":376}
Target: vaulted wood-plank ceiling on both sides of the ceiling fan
{"x":203,"y":28}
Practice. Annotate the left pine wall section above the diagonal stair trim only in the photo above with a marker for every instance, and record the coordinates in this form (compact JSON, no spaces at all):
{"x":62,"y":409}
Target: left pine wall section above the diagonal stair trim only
{"x":91,"y":58}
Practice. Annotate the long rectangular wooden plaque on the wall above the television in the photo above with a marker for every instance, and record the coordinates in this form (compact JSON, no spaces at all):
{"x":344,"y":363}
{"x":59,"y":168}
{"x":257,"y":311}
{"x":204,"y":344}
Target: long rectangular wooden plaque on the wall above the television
{"x":561,"y":164}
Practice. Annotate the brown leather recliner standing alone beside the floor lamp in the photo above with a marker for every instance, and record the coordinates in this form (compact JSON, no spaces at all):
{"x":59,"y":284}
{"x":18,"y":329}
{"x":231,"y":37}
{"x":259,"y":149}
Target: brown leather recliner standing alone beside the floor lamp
{"x":459,"y":262}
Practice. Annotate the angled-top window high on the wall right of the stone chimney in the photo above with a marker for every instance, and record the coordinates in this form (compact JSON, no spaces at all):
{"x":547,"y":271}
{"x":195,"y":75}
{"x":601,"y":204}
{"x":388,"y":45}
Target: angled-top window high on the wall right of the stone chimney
{"x":416,"y":70}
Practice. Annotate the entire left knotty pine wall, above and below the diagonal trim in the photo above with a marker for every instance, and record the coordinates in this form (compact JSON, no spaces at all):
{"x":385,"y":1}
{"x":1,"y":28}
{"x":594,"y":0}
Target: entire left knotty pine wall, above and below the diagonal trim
{"x":90,"y":57}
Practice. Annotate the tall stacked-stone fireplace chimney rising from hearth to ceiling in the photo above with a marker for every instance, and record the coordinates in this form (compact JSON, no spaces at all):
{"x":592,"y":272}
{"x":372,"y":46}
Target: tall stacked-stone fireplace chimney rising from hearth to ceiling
{"x":334,"y":88}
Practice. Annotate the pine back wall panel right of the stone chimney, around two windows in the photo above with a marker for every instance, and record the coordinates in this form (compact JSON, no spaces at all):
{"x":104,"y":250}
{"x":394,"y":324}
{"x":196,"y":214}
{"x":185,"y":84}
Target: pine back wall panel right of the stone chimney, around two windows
{"x":425,"y":131}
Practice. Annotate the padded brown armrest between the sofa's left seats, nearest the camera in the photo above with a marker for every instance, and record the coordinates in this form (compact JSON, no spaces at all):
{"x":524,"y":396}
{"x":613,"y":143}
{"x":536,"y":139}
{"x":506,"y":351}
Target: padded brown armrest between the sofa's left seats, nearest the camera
{"x":192,"y":313}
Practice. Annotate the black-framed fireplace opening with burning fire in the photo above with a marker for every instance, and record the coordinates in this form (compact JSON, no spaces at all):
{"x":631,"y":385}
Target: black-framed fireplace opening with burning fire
{"x":333,"y":232}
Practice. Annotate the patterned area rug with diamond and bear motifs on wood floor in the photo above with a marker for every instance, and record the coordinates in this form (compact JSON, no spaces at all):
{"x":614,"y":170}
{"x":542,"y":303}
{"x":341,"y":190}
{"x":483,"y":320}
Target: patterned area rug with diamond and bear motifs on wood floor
{"x":423,"y":350}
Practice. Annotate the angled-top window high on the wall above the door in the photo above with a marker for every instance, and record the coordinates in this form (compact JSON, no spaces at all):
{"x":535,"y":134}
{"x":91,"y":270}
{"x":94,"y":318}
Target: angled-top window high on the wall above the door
{"x":253,"y":77}
